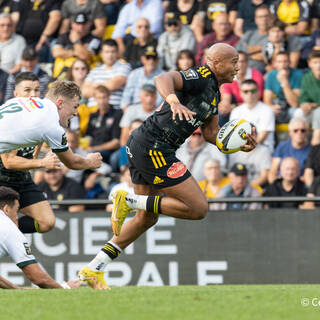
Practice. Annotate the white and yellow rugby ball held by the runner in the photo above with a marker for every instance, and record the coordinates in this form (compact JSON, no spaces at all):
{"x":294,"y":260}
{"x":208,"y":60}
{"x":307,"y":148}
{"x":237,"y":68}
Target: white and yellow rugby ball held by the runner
{"x":232,"y":135}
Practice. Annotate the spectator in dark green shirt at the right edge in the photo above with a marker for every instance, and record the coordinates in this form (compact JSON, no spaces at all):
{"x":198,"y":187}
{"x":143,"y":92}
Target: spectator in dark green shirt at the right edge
{"x":309,"y":98}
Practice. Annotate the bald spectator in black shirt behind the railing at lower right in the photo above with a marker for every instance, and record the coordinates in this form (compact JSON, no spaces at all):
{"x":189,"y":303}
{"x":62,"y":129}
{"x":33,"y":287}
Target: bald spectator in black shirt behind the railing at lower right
{"x":288,"y":185}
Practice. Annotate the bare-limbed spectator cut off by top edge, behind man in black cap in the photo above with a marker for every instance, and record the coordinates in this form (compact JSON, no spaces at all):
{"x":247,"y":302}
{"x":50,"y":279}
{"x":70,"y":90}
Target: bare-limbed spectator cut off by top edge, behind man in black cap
{"x":93,"y":9}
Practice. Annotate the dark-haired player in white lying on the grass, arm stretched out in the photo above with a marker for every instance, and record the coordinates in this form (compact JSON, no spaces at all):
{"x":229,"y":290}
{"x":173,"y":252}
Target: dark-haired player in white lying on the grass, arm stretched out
{"x":15,"y":244}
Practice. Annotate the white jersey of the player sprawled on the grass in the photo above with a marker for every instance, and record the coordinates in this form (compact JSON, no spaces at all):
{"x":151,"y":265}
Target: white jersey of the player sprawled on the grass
{"x":14,"y":243}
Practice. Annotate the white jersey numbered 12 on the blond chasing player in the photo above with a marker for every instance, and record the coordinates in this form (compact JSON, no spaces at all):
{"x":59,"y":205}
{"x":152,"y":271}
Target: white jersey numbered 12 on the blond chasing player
{"x":26,"y":122}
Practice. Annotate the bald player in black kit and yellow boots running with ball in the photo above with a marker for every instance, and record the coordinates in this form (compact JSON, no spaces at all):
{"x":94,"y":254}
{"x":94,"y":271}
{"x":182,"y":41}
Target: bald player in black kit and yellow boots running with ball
{"x":191,"y":101}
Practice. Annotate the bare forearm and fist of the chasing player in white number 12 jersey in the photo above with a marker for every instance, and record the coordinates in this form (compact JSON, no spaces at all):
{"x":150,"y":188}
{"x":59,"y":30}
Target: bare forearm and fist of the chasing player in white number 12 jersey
{"x":76,"y":162}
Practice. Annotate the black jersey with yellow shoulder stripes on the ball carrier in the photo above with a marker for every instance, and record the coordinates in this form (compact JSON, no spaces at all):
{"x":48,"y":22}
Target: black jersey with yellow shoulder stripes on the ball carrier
{"x":200,"y":93}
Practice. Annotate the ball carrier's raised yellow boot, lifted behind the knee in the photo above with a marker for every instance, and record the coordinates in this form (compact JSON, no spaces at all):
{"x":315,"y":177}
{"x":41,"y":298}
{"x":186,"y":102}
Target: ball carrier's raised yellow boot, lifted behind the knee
{"x":120,"y":211}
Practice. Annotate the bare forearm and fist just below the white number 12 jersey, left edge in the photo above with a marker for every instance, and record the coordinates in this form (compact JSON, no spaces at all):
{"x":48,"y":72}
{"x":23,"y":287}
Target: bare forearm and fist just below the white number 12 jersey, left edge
{"x":13,"y":162}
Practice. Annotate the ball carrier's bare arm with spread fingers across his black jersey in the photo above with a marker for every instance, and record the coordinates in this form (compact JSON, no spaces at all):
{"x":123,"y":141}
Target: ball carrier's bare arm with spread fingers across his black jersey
{"x":166,"y":84}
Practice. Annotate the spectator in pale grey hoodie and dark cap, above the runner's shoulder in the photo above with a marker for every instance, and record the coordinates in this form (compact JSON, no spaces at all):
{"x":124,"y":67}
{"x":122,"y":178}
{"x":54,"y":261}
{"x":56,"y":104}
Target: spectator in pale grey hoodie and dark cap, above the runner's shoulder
{"x":176,"y":38}
